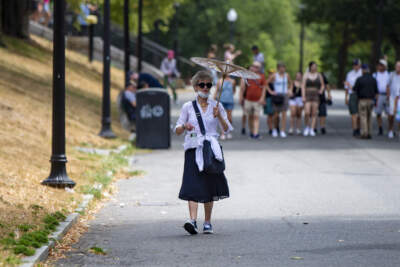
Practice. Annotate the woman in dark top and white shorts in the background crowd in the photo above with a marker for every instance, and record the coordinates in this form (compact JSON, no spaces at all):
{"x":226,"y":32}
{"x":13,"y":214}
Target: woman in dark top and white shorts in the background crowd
{"x":296,"y":105}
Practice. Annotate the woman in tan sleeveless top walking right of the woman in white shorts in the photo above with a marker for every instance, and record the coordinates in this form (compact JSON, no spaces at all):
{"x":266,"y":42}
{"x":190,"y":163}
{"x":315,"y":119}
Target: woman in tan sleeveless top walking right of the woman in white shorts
{"x":312,"y":87}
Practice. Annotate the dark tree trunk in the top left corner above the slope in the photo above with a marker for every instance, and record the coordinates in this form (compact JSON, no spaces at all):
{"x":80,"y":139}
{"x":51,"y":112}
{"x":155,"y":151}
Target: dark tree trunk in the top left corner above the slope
{"x":15,"y":18}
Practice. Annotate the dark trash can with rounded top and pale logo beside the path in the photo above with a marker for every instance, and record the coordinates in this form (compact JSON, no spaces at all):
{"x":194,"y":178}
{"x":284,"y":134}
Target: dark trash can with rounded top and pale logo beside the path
{"x":153,"y":118}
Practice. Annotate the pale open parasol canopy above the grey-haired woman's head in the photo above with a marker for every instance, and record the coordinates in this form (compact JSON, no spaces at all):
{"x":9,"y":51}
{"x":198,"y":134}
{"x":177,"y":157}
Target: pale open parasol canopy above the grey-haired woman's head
{"x":225,"y":68}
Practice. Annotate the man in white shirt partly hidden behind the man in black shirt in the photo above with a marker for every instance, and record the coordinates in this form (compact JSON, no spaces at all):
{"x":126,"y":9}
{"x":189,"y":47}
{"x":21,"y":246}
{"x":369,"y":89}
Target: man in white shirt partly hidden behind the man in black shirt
{"x":351,"y":98}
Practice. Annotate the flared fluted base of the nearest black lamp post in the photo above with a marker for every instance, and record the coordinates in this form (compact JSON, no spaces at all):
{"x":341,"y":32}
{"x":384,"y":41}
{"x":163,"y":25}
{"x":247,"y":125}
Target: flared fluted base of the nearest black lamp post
{"x":58,"y":175}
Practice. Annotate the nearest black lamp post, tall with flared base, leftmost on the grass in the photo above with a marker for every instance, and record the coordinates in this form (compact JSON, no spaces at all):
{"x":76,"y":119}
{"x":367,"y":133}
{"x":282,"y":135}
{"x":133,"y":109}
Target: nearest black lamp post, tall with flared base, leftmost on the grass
{"x":58,"y":174}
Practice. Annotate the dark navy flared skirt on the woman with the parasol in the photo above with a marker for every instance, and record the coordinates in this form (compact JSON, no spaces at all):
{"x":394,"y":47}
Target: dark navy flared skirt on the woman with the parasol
{"x":199,"y":186}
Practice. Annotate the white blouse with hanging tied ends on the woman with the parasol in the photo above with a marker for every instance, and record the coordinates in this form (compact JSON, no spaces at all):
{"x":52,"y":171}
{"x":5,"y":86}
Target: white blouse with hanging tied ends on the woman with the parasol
{"x":194,"y":138}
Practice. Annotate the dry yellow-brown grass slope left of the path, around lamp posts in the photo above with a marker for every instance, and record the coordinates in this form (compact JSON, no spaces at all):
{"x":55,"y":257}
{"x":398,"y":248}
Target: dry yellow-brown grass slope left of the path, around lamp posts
{"x":25,"y":129}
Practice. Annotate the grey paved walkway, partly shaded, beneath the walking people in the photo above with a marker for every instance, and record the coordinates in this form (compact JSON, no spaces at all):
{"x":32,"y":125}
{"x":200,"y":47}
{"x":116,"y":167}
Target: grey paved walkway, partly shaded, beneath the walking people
{"x":325,"y":201}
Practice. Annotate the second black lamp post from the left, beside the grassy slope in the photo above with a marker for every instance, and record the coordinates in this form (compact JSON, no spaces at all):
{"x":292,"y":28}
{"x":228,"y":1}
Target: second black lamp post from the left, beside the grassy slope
{"x":106,"y":131}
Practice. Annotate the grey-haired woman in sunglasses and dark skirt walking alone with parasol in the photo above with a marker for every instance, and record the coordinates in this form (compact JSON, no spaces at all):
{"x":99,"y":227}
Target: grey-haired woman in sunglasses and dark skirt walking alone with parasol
{"x":199,"y":185}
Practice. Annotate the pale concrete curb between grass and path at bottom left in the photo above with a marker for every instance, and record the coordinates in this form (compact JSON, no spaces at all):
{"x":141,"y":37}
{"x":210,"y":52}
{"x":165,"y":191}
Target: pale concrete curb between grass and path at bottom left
{"x":42,"y":253}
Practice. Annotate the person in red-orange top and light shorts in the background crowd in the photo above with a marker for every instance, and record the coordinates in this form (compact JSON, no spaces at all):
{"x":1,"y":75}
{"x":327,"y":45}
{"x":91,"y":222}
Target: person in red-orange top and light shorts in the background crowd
{"x":252,"y":99}
